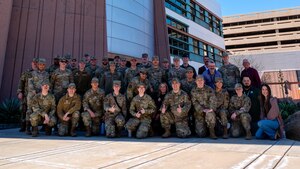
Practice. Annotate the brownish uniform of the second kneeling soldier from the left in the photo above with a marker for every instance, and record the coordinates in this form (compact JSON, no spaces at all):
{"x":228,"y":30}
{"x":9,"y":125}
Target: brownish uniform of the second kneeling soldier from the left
{"x":71,"y":105}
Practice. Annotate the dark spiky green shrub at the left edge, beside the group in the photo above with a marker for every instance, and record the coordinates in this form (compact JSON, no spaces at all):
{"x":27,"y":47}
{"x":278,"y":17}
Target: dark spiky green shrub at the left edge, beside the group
{"x":10,"y":111}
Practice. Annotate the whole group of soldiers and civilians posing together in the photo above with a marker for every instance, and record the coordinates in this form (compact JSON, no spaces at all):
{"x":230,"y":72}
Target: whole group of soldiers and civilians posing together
{"x":147,"y":99}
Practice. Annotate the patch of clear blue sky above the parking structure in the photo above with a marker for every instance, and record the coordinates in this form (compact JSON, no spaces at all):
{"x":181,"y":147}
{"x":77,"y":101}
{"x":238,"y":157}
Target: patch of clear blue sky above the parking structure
{"x":234,"y":7}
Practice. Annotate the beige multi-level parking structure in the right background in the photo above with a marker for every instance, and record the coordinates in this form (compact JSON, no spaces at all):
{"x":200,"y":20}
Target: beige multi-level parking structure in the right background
{"x":271,"y":39}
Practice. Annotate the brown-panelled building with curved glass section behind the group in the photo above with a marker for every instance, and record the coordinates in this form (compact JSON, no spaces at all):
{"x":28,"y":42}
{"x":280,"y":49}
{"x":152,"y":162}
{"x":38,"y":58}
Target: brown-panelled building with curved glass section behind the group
{"x":167,"y":28}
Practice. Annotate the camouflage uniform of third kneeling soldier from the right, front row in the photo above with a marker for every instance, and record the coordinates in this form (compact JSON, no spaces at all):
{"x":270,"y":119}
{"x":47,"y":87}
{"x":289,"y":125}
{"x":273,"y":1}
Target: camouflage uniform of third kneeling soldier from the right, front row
{"x":204,"y":98}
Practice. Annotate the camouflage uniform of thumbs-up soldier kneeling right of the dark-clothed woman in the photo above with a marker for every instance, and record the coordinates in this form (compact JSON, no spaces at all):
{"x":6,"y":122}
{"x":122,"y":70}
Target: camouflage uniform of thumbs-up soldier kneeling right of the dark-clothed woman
{"x":171,"y":116}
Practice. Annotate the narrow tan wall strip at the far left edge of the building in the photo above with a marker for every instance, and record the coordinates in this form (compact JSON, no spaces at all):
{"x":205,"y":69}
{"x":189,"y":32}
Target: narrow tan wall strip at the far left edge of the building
{"x":5,"y":14}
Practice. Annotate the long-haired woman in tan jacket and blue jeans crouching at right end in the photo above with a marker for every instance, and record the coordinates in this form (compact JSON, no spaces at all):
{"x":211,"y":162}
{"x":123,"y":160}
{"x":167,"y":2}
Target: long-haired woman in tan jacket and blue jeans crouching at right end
{"x":270,"y":123}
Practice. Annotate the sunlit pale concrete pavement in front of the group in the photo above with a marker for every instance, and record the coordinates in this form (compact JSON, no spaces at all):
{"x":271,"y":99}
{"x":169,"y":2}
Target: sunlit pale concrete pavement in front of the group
{"x":18,"y":150}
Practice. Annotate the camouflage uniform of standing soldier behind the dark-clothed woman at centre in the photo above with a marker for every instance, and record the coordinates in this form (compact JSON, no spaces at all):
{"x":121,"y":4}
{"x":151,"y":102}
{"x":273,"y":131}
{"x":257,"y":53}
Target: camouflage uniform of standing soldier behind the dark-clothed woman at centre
{"x":156,"y":76}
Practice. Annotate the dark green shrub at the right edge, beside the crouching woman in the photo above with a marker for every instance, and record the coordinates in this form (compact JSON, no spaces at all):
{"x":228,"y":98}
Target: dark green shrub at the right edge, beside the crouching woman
{"x":287,"y":107}
